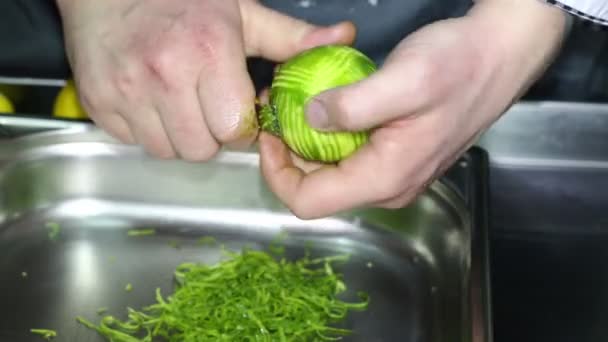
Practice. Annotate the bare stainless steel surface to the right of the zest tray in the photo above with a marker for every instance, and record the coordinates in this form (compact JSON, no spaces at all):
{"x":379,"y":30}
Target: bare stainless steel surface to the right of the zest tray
{"x":549,"y":218}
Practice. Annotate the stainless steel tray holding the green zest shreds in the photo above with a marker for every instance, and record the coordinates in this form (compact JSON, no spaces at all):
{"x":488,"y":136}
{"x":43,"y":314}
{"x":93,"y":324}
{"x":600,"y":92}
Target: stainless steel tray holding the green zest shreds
{"x":428,"y":281}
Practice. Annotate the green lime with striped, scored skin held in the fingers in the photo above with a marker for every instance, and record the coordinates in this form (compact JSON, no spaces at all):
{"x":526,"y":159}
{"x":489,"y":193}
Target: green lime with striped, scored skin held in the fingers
{"x":303,"y":77}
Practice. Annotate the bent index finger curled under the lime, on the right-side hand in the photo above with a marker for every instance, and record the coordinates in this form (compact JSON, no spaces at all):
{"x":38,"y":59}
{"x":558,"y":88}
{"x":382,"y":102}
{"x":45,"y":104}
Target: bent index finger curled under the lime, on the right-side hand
{"x":326,"y":191}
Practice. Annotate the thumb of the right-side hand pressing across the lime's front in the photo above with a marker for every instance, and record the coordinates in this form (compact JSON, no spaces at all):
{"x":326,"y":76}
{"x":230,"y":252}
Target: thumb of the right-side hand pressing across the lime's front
{"x":403,"y":87}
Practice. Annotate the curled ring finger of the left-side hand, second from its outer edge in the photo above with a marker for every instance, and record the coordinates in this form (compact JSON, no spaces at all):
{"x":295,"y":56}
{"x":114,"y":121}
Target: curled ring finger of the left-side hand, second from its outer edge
{"x":149,"y":132}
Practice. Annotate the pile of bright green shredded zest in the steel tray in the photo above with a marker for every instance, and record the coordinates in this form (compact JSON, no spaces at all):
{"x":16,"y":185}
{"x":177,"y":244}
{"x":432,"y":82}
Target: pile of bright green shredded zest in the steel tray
{"x":251,"y":296}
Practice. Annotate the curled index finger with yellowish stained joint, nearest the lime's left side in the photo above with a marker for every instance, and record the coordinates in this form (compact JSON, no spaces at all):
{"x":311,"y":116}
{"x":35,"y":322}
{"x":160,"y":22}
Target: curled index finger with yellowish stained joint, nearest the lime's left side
{"x":226,"y":93}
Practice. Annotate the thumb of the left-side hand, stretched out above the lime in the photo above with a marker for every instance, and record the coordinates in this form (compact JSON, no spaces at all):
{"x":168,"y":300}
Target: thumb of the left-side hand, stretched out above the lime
{"x":277,"y":36}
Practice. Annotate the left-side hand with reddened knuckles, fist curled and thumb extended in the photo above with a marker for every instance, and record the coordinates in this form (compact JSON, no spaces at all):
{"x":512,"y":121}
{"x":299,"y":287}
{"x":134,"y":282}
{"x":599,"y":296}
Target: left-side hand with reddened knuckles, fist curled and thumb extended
{"x":171,"y":75}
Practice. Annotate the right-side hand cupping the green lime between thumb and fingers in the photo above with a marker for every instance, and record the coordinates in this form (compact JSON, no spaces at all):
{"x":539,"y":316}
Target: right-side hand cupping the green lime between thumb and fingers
{"x":435,"y":94}
